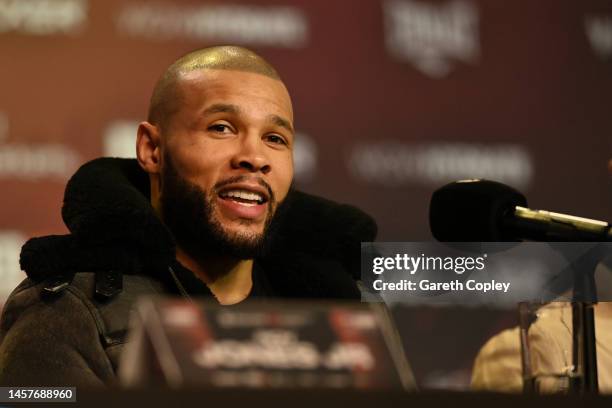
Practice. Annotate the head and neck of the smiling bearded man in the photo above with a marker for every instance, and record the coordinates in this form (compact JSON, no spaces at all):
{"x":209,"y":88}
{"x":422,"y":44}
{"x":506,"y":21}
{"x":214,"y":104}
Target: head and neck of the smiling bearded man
{"x":224,"y":140}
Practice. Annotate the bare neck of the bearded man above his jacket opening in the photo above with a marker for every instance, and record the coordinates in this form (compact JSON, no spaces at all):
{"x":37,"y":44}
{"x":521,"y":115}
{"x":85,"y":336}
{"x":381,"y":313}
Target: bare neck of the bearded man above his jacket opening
{"x":229,"y":279}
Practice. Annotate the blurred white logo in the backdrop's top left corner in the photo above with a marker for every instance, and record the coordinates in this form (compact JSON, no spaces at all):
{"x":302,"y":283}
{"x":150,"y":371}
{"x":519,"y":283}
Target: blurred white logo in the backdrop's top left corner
{"x":42,"y":17}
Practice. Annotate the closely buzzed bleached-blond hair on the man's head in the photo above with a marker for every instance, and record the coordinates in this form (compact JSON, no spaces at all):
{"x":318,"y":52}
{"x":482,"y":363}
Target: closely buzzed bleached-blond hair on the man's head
{"x":166,"y":97}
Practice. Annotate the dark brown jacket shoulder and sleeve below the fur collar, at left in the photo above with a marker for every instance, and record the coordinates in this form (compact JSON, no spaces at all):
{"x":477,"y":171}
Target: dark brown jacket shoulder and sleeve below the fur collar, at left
{"x":69,"y":337}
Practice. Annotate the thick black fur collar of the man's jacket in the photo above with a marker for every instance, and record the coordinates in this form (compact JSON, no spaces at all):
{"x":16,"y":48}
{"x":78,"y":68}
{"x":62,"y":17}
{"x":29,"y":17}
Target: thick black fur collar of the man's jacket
{"x":113,"y":226}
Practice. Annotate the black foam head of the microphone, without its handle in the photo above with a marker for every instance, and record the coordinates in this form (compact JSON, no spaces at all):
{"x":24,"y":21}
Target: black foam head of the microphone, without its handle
{"x":473,"y":211}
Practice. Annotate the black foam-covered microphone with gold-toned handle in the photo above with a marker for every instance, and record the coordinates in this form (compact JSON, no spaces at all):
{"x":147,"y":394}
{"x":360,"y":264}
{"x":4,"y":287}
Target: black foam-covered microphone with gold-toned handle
{"x":483,"y":211}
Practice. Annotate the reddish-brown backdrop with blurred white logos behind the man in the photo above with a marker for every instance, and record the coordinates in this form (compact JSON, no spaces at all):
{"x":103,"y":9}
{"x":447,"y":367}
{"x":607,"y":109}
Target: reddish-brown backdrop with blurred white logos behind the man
{"x":392,"y":98}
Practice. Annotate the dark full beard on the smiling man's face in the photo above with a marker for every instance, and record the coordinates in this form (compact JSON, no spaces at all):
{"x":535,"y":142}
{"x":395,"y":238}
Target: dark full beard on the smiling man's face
{"x":189,"y":213}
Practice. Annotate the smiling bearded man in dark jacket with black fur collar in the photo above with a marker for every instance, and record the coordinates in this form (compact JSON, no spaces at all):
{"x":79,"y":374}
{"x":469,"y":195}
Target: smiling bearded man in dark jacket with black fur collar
{"x":205,"y":210}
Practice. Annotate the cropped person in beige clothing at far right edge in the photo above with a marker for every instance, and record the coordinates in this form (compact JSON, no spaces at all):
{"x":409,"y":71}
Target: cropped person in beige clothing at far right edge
{"x":498,"y":366}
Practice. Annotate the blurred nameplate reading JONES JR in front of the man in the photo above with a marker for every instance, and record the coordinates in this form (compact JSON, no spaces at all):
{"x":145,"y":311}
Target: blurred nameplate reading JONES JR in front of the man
{"x":264,"y":345}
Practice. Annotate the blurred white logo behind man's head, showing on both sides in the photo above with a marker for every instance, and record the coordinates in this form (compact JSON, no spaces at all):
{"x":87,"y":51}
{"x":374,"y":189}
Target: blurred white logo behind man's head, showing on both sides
{"x":119,"y":140}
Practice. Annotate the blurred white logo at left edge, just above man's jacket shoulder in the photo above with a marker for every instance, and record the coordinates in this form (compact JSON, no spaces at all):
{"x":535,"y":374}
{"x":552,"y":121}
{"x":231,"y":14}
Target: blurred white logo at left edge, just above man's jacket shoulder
{"x":10,"y":272}
